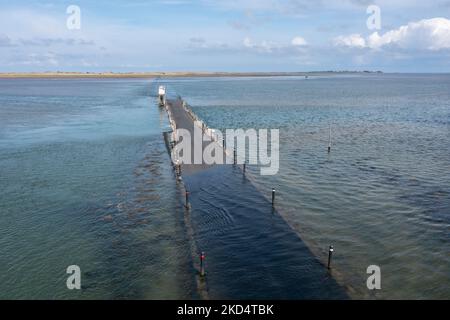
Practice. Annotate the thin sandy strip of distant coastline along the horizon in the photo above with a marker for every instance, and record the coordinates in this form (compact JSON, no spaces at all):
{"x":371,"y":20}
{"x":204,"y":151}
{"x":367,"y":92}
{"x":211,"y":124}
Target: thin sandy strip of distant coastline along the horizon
{"x":171,"y":74}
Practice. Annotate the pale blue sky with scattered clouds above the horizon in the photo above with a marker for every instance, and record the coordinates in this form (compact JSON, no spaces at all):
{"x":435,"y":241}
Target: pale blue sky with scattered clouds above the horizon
{"x":225,"y":35}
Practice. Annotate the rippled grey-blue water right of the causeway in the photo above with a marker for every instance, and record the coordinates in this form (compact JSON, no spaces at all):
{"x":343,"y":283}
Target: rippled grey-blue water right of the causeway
{"x":381,"y":197}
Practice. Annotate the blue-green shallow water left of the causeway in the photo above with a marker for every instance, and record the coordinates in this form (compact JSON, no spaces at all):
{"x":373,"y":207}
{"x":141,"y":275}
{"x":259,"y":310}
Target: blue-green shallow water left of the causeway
{"x":86,"y":180}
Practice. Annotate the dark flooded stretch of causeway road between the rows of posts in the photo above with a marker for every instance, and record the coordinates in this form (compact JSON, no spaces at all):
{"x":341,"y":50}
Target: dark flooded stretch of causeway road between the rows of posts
{"x":251,"y":252}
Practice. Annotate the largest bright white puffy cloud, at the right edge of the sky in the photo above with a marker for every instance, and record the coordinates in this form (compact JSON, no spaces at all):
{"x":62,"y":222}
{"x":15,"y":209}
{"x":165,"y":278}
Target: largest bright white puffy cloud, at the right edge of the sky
{"x":428,"y":34}
